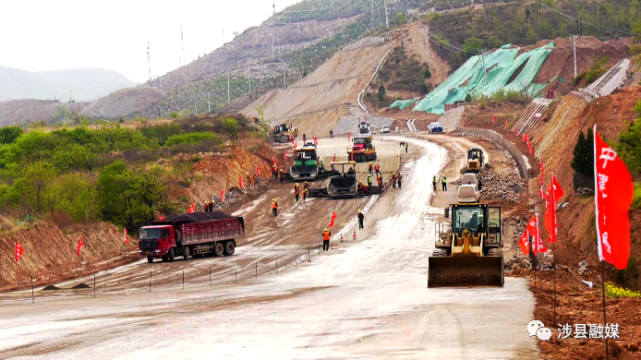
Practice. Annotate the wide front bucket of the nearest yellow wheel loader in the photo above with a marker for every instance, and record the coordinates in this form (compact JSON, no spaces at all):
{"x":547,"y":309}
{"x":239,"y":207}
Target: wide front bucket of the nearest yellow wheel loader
{"x":465,"y":271}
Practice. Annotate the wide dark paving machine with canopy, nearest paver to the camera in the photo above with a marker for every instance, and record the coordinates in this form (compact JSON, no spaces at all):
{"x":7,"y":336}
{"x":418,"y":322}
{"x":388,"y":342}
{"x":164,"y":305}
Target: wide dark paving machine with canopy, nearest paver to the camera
{"x":343,"y":184}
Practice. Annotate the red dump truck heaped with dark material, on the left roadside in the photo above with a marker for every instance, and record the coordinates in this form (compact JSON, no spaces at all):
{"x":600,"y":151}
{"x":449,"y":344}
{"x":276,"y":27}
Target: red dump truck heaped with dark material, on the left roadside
{"x":191,"y":234}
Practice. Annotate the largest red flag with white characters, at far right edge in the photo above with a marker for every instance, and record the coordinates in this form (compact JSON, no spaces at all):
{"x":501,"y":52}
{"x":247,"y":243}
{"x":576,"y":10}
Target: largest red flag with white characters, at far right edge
{"x":614,"y":192}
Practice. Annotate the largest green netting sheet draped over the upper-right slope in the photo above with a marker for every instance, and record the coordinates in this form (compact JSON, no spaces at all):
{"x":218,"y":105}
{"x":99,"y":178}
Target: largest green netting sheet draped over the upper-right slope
{"x":470,"y":78}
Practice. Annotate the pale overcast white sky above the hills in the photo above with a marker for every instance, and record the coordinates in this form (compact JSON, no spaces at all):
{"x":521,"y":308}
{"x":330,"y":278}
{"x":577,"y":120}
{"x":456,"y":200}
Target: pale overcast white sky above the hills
{"x":50,"y":35}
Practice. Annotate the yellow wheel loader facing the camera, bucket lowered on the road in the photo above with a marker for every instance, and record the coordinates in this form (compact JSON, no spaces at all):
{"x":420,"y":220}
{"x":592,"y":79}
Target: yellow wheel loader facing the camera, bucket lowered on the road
{"x":468,"y":253}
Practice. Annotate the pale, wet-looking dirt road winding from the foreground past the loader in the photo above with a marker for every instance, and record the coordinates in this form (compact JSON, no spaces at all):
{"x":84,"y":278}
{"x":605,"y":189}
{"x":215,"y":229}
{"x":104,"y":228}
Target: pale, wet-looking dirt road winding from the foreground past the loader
{"x":362,"y":300}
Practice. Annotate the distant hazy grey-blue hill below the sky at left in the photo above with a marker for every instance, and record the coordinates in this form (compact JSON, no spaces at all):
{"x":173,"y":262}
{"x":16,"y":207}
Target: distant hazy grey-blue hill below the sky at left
{"x":84,"y":83}
